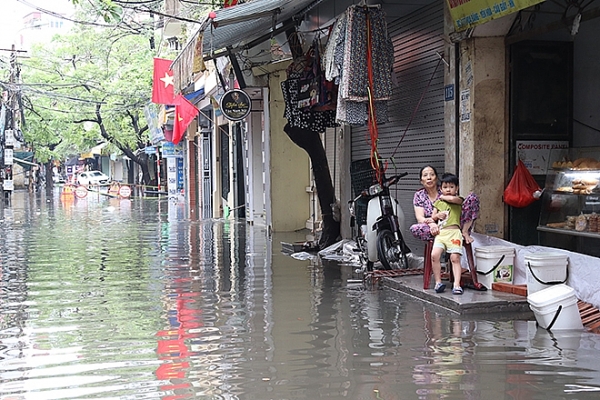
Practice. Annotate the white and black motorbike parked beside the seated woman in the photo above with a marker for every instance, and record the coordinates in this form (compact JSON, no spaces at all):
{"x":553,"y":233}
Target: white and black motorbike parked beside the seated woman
{"x":380,"y":237}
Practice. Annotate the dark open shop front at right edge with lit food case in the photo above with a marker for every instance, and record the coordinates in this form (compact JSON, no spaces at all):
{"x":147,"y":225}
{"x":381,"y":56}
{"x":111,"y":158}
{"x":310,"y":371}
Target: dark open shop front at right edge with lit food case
{"x":554,"y":88}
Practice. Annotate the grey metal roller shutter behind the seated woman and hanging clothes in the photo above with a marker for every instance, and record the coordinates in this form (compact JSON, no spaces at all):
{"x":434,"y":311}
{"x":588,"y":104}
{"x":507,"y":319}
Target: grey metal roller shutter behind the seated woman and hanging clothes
{"x":417,"y":38}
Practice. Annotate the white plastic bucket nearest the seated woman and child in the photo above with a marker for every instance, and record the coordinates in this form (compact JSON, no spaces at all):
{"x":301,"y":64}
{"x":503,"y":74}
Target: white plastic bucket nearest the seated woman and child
{"x":494,"y":264}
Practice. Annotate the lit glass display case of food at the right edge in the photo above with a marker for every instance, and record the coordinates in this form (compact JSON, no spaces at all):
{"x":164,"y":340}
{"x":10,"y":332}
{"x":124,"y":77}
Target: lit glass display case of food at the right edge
{"x":571,"y":202}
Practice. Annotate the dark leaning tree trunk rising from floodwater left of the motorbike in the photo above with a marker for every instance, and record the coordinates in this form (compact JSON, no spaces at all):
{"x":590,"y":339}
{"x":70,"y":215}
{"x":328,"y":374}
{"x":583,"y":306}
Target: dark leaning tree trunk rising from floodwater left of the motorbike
{"x":311,"y":142}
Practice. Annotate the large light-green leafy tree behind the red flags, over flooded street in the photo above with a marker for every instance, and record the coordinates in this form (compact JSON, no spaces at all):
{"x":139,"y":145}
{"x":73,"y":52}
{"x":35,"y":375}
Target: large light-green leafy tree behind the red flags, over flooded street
{"x":97,"y":76}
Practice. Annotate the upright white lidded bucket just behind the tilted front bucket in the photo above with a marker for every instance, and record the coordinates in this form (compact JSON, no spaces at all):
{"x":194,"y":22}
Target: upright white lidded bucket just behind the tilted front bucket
{"x":545,"y":269}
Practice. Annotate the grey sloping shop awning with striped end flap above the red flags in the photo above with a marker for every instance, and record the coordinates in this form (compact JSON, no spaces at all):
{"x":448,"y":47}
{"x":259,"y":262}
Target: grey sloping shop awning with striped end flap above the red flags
{"x":237,"y":28}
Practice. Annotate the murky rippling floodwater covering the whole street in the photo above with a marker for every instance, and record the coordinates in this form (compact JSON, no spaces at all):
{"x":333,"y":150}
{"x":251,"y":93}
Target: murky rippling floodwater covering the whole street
{"x":124,"y":299}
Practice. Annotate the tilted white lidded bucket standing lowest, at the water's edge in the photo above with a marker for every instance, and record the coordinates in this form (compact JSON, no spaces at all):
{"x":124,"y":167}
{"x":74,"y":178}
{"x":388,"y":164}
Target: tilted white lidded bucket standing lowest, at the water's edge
{"x":555,"y":308}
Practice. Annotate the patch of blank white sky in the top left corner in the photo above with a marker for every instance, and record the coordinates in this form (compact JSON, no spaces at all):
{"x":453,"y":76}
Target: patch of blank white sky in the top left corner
{"x":13,"y":11}
